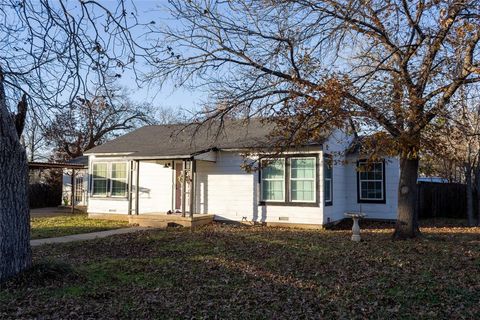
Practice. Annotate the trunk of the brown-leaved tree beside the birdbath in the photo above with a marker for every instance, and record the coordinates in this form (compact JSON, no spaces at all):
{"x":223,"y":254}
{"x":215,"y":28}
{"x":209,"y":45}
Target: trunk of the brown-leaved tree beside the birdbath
{"x":407,"y":222}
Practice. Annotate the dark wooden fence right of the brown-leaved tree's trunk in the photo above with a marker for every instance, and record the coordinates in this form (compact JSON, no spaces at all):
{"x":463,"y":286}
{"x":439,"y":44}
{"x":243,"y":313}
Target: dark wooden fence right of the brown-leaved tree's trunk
{"x":442,"y":200}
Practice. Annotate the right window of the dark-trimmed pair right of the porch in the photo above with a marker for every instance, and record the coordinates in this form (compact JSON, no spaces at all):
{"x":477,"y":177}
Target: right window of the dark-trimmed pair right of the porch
{"x":302,"y":179}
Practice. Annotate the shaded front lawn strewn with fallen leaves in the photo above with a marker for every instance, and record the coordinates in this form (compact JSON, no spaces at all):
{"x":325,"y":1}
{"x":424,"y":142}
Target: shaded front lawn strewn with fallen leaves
{"x":228,"y":272}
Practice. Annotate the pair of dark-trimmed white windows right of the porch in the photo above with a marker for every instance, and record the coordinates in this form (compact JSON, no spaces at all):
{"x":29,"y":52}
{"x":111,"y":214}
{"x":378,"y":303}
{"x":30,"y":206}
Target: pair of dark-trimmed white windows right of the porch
{"x":291,"y":180}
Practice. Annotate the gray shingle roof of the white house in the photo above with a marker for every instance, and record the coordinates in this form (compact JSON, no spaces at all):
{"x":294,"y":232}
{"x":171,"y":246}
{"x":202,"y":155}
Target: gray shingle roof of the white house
{"x":186,"y":140}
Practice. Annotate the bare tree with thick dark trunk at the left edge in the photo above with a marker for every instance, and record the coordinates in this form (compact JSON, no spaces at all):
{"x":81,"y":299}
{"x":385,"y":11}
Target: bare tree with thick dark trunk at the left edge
{"x":48,"y":52}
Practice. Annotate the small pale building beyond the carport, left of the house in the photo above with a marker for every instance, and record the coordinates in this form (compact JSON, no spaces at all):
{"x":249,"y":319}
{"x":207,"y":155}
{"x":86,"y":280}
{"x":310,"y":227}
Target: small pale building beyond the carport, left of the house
{"x":79,"y":180}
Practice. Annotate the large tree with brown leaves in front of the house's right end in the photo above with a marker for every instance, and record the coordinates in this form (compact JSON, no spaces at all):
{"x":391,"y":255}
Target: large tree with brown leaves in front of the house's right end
{"x":387,"y":66}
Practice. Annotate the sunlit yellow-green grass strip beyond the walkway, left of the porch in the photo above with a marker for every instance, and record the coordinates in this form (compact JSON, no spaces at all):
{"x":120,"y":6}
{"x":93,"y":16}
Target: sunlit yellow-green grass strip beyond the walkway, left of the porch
{"x":49,"y":227}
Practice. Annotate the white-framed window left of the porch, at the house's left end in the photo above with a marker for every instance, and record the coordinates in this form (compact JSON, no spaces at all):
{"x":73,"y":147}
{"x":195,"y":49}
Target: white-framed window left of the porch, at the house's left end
{"x":109,"y":179}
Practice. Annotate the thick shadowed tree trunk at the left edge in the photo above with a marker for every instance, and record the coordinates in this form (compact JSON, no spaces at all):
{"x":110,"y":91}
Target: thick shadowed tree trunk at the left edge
{"x":15,"y":252}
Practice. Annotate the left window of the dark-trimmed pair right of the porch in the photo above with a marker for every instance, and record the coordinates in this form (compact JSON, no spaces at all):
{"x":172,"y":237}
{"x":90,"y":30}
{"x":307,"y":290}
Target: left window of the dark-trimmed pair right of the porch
{"x":273,"y":180}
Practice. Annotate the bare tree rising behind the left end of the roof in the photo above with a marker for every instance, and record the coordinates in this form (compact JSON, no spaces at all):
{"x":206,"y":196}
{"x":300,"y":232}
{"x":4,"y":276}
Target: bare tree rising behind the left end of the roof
{"x":92,"y":120}
